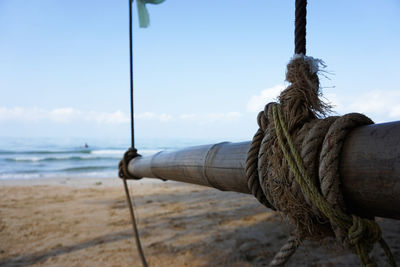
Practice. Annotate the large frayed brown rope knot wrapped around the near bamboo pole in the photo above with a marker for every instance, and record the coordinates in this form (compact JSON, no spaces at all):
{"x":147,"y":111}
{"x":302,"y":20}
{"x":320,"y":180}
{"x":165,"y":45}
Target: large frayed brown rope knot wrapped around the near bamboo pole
{"x":305,"y":185}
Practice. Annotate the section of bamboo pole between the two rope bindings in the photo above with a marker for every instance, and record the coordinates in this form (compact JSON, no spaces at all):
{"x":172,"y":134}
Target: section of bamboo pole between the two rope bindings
{"x":219,"y":165}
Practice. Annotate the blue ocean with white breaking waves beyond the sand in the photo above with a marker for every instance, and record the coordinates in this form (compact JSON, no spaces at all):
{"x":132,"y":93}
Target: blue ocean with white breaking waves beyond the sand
{"x":32,"y":158}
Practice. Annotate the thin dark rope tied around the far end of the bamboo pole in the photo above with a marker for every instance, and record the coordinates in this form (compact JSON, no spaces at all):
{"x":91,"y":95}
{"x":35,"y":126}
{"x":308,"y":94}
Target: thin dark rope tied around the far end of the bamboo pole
{"x":131,"y":153}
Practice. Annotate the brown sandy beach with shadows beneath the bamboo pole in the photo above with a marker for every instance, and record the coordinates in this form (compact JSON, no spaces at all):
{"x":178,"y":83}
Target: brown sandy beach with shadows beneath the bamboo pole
{"x":85,"y":222}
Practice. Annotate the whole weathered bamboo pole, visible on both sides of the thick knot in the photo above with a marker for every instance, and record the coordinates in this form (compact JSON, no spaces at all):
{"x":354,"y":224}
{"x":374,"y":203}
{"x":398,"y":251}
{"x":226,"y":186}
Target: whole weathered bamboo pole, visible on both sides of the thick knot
{"x":370,"y":168}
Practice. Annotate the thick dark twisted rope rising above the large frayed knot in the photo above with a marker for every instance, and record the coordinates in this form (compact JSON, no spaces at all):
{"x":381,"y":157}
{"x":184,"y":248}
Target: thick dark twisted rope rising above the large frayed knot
{"x":300,"y":27}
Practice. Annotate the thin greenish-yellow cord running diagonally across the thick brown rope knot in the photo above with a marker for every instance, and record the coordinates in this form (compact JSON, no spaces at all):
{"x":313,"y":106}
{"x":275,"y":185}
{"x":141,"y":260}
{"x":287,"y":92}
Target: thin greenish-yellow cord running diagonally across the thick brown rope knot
{"x":362,"y":233}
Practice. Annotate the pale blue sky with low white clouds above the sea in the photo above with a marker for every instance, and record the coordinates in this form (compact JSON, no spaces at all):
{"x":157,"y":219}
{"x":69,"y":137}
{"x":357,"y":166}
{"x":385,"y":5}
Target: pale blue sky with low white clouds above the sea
{"x":202,"y":70}
